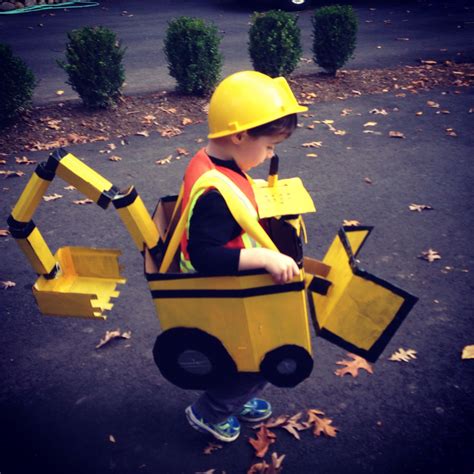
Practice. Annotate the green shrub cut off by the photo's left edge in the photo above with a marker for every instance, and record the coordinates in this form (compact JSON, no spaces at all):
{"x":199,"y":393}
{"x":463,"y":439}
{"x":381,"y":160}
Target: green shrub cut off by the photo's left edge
{"x":17,"y":83}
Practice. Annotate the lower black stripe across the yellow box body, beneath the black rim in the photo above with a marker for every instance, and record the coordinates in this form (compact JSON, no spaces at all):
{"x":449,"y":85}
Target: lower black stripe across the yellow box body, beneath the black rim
{"x":240,"y":293}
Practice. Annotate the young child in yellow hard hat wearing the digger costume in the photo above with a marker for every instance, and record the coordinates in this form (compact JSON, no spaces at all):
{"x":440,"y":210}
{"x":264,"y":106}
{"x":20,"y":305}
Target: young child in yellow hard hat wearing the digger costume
{"x":249,"y":115}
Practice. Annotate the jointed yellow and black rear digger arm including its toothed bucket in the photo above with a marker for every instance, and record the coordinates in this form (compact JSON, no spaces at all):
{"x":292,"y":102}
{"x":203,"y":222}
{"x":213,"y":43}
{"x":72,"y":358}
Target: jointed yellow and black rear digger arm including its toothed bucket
{"x":77,"y":281}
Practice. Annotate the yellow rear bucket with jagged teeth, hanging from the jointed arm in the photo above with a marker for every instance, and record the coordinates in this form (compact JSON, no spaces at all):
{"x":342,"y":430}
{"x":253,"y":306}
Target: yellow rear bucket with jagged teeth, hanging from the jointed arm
{"x":84,"y":286}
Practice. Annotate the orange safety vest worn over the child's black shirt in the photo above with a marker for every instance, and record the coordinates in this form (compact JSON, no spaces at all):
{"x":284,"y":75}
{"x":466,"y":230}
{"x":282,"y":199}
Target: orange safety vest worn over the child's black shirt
{"x":200,"y":164}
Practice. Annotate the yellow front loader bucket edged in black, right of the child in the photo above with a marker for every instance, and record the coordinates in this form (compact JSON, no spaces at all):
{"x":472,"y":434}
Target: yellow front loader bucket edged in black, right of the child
{"x":351,"y":307}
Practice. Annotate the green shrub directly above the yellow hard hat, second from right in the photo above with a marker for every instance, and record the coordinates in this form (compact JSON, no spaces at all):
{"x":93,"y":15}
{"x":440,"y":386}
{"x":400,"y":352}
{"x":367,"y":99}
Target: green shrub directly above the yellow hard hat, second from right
{"x":275,"y":43}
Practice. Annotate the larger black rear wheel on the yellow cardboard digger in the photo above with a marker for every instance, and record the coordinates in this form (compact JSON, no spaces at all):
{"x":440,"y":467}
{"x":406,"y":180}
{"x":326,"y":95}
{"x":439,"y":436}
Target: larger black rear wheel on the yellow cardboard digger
{"x":192,"y":359}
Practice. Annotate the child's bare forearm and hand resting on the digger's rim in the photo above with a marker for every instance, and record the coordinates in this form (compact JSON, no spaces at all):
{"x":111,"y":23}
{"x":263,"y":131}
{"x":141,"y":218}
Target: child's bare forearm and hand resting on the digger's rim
{"x":282,"y":268}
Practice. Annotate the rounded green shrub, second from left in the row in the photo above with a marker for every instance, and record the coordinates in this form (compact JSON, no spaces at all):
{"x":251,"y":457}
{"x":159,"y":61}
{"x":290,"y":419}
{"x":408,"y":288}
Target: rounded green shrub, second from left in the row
{"x":94,"y":65}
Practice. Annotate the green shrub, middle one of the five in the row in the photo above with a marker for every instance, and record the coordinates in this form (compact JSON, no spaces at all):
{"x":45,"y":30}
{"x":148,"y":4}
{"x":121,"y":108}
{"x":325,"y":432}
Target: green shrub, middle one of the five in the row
{"x":193,"y":55}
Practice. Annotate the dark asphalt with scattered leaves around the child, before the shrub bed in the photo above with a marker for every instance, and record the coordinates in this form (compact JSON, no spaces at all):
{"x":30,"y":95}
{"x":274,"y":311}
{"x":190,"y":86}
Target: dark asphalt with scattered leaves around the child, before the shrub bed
{"x":68,"y":407}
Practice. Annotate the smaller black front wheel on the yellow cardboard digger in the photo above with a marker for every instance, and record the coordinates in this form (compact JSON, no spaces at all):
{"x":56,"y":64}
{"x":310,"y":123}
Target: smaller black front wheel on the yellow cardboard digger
{"x":287,"y":366}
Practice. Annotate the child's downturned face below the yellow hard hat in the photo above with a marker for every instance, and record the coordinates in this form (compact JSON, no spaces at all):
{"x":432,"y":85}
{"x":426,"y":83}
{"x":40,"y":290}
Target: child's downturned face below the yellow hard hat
{"x":250,"y":152}
